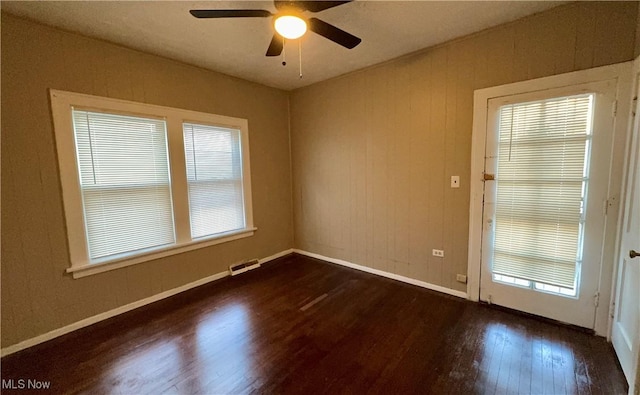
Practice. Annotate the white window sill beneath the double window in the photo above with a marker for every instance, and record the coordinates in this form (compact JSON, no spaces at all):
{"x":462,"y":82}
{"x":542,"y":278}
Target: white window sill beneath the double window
{"x":84,"y":270}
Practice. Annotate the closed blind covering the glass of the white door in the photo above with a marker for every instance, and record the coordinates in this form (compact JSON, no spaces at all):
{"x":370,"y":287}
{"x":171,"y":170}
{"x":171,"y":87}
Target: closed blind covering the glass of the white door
{"x":541,"y":186}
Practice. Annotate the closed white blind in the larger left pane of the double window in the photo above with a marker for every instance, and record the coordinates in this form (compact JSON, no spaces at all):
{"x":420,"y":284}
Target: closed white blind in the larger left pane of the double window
{"x":124,"y":179}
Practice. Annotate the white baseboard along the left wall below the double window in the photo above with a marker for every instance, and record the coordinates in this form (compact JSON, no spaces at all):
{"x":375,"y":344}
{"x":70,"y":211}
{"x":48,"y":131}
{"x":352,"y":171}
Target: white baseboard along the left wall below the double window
{"x":123,"y":309}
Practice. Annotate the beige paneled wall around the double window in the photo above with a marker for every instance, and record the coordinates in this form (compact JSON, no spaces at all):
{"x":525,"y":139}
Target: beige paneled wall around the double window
{"x":36,"y":294}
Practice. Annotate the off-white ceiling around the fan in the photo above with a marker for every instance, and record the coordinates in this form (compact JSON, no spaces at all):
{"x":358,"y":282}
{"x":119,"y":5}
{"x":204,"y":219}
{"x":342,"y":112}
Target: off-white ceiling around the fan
{"x":388,"y":29}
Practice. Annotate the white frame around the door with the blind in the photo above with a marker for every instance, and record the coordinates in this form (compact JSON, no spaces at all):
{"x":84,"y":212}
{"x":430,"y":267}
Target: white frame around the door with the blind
{"x":622,"y":73}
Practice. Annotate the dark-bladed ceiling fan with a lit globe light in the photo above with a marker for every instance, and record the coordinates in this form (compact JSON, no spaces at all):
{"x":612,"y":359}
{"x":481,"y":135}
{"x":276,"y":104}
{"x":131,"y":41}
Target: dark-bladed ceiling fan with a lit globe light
{"x":289,"y":22}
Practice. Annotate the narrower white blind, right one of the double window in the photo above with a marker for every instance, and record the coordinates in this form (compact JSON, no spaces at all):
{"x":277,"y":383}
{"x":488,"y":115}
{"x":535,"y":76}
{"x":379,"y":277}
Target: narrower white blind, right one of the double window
{"x":214,"y":175}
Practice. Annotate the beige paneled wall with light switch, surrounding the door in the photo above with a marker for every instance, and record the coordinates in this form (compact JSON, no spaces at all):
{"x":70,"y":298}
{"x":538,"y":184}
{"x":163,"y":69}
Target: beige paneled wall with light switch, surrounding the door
{"x":373,"y":151}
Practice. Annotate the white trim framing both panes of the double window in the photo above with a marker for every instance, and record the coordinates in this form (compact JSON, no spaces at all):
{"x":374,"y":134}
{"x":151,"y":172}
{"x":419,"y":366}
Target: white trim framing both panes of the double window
{"x":81,"y":266}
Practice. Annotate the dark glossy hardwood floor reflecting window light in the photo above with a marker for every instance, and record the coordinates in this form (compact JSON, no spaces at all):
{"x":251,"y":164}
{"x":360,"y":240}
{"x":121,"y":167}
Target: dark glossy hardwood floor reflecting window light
{"x":299,"y":325}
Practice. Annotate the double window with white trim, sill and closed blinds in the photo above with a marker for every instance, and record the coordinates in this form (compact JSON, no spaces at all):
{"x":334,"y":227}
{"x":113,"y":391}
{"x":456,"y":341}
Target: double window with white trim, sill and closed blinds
{"x":141,"y":182}
